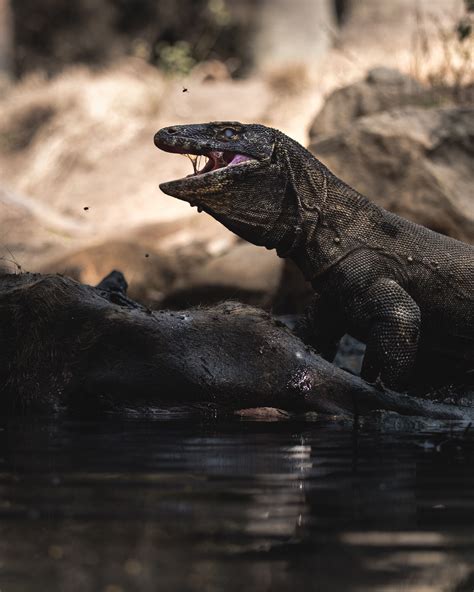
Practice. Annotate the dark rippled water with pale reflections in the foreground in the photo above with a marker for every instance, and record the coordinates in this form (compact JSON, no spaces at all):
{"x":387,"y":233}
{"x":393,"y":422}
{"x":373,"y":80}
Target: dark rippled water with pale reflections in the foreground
{"x":243,"y":505}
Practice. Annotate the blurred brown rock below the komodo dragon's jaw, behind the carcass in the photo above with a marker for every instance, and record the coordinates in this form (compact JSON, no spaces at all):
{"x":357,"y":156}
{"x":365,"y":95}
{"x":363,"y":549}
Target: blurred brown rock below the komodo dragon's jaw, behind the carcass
{"x":178,"y":264}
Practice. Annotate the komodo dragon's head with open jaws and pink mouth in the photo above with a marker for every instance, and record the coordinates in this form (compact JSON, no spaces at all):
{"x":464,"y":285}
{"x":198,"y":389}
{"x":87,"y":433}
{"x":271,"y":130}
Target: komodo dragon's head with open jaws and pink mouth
{"x":246,"y":182}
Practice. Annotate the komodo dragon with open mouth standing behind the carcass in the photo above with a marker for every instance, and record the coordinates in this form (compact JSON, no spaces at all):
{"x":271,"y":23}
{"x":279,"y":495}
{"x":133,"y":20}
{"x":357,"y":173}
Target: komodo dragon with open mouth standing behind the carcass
{"x":402,"y":289}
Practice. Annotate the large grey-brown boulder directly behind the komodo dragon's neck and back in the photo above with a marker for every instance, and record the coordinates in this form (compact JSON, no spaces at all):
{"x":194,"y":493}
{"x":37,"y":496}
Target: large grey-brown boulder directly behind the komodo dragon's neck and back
{"x":412,"y":161}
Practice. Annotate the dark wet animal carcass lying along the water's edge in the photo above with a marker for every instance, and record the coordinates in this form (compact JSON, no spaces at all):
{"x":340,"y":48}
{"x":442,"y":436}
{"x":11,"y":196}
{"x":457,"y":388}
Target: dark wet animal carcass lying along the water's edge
{"x":71,"y":347}
